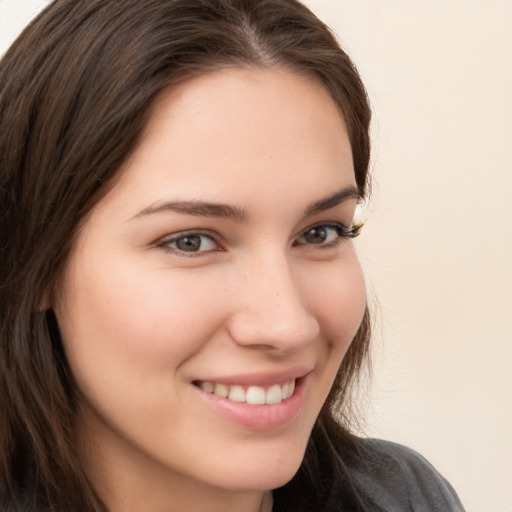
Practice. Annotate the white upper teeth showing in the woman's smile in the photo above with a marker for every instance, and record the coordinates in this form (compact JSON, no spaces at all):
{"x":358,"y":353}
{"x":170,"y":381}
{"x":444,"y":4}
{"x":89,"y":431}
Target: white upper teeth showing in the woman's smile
{"x":253,"y":395}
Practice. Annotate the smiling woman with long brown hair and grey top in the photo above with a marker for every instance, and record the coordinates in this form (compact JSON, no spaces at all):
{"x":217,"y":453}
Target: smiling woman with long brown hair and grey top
{"x":183,"y":311}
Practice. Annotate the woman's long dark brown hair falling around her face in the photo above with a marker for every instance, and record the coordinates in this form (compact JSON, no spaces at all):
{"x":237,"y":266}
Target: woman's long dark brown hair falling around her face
{"x":75,"y":91}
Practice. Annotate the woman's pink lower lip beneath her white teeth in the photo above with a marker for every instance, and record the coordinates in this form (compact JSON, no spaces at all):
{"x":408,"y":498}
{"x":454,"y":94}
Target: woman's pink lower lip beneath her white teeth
{"x":257,"y":417}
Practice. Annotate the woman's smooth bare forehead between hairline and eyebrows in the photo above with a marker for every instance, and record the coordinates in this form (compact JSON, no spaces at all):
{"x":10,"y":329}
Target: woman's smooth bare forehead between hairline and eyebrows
{"x":220,"y":133}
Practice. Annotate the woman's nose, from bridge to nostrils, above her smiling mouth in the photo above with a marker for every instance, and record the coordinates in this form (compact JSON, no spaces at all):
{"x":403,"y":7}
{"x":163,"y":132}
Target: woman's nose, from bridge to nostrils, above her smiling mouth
{"x":271,"y":308}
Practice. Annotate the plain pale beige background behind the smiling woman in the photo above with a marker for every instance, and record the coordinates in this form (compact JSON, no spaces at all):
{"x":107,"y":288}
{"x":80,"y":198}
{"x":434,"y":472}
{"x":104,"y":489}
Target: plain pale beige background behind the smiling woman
{"x":437,"y":247}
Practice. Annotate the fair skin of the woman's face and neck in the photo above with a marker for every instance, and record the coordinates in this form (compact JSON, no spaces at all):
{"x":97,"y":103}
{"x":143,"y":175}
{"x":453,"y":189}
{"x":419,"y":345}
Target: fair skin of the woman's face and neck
{"x":141,"y":320}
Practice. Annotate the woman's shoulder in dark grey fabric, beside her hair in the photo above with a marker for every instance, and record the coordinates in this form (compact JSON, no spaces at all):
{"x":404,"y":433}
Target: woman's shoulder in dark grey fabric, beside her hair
{"x":396,"y":478}
